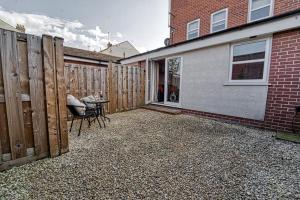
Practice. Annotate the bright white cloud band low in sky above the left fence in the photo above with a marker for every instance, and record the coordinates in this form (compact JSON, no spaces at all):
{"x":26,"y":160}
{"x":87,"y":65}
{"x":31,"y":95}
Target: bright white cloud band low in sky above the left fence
{"x":74,"y":32}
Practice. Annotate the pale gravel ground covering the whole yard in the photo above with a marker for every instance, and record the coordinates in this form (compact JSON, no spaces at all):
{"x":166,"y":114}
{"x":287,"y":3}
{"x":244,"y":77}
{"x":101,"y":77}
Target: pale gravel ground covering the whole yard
{"x":149,"y":155}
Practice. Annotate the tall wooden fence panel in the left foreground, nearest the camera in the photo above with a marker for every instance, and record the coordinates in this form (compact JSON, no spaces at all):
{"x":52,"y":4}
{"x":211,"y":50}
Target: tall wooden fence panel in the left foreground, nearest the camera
{"x":33,"y":121}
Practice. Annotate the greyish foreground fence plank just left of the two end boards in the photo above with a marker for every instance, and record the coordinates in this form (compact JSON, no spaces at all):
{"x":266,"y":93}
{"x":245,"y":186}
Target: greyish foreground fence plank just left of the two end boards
{"x":36,"y":82}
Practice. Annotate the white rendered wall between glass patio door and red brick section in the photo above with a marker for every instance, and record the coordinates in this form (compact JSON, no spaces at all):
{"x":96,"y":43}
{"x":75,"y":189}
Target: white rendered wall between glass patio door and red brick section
{"x":204,"y":74}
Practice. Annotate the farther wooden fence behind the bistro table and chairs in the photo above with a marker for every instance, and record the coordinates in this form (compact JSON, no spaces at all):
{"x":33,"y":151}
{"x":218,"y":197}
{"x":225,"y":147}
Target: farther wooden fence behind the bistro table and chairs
{"x":124,"y":86}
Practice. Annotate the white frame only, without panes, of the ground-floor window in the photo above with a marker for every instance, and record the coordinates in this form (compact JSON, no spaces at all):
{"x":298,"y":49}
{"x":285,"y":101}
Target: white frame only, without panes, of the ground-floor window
{"x":266,"y":60}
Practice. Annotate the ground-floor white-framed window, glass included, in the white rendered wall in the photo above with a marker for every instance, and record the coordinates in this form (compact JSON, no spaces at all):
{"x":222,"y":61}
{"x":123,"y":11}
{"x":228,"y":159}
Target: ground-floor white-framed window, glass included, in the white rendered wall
{"x":249,"y":61}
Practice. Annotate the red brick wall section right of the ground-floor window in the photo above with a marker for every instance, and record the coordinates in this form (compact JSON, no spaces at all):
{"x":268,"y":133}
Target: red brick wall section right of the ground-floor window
{"x":284,"y":80}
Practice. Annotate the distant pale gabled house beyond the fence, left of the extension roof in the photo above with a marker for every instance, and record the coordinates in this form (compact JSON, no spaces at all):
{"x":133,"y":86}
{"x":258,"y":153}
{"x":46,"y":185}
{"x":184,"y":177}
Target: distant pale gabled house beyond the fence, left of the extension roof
{"x":124,"y":49}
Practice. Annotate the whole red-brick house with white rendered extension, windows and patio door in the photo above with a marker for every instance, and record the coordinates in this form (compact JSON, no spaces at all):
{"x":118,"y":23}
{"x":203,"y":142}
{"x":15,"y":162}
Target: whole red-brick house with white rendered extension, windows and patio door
{"x":232,"y":60}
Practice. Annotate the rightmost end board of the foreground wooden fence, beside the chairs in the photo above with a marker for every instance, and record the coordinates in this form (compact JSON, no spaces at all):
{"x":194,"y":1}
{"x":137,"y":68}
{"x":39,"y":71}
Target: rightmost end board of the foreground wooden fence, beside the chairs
{"x":61,"y":95}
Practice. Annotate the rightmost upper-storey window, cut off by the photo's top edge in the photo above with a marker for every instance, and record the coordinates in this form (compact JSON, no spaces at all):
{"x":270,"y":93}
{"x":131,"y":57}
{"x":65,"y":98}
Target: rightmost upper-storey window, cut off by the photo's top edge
{"x":260,"y":9}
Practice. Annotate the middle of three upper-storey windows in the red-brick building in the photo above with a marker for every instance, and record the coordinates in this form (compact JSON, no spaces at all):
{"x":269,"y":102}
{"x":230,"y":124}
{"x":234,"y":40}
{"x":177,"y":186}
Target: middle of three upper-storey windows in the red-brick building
{"x":219,"y":20}
